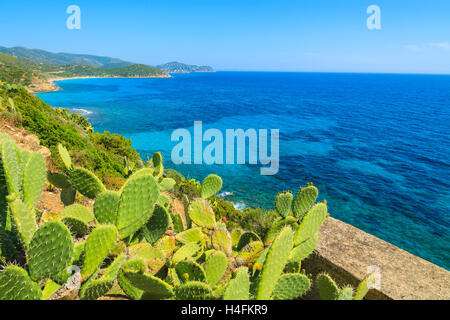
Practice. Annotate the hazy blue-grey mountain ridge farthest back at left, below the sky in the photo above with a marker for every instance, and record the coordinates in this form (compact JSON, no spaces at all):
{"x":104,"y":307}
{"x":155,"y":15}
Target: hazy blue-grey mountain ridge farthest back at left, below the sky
{"x":45,"y":57}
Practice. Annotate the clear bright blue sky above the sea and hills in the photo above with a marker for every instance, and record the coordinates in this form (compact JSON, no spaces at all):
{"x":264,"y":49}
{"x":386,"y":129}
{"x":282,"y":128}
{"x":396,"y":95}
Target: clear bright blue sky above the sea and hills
{"x":275,"y":35}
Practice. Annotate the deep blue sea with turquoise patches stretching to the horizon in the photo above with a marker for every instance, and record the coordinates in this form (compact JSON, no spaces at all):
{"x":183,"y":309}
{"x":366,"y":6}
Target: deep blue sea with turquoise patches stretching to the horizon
{"x":377,"y":146}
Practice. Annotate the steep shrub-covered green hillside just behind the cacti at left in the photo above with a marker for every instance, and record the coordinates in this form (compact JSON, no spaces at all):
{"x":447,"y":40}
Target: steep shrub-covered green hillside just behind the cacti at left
{"x":103,"y":153}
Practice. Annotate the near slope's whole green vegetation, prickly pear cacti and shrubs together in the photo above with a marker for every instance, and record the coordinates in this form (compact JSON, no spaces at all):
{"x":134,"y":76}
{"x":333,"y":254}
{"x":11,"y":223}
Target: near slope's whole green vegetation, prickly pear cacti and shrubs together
{"x":152,"y":234}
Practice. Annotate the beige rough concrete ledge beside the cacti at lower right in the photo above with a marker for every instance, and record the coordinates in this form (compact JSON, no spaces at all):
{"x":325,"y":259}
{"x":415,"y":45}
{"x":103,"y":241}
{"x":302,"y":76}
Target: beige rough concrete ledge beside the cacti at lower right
{"x":345,"y":252}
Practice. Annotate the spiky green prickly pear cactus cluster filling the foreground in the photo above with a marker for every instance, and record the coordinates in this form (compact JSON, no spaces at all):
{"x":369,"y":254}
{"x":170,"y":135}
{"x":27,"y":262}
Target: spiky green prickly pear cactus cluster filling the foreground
{"x":135,"y":245}
